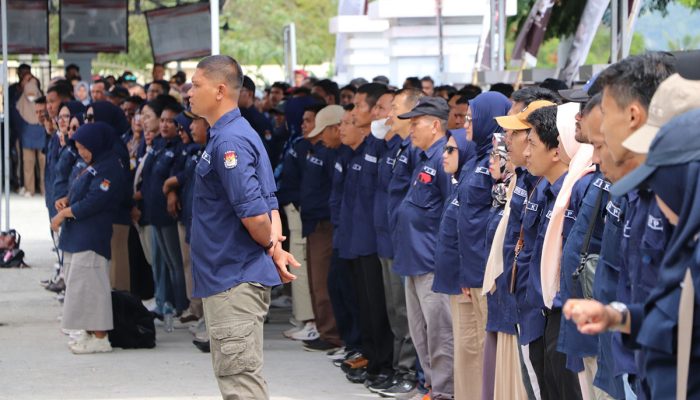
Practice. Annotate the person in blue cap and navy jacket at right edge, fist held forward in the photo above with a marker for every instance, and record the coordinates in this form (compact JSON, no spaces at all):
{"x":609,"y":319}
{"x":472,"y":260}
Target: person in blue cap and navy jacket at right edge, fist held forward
{"x":667,"y":325}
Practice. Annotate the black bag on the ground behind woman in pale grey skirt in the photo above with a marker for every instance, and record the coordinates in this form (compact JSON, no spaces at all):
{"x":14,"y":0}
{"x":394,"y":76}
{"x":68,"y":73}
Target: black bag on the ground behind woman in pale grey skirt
{"x":133,"y":323}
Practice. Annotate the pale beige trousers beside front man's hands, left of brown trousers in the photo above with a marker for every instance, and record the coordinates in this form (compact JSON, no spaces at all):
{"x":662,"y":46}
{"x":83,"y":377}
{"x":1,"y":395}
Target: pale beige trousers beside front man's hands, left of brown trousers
{"x":302,"y":309}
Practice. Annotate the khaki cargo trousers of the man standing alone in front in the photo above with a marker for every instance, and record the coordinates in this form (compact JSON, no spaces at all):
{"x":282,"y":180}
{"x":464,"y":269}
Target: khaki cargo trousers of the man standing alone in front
{"x":235,"y":319}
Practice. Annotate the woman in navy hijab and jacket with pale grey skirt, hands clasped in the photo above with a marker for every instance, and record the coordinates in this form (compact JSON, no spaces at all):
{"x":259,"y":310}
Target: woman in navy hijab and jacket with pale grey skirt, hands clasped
{"x":85,"y":236}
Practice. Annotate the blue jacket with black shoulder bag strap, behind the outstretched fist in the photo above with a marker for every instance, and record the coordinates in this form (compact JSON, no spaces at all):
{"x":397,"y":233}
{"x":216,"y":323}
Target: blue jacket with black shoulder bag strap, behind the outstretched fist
{"x":571,"y":342}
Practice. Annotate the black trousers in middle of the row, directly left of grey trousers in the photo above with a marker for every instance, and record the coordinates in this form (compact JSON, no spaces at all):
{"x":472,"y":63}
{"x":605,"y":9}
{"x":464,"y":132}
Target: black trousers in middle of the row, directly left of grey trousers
{"x":377,"y":339}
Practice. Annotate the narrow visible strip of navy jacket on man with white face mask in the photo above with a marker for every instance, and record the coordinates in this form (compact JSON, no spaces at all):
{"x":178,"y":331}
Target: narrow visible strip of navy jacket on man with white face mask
{"x":387,"y":163}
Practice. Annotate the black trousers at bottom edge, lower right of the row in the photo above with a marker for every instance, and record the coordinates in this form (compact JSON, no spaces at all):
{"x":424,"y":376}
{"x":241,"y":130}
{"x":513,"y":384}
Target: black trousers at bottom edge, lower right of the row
{"x":555,"y":380}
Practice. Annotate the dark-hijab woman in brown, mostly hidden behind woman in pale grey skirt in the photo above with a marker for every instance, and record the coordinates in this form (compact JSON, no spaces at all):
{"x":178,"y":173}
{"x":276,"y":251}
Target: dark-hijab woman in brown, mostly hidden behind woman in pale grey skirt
{"x":108,"y":113}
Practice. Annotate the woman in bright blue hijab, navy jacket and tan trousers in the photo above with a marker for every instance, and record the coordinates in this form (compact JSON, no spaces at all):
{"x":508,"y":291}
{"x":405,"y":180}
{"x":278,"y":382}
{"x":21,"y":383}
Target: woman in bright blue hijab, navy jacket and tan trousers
{"x":475,"y":204}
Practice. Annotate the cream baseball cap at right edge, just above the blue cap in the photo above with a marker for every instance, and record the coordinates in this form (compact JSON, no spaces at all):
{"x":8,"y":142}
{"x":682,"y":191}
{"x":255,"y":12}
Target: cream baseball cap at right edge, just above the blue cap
{"x":674,"y":96}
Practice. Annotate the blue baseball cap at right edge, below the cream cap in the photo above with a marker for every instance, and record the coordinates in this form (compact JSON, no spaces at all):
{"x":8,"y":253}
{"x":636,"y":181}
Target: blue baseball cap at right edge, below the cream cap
{"x":671,"y":146}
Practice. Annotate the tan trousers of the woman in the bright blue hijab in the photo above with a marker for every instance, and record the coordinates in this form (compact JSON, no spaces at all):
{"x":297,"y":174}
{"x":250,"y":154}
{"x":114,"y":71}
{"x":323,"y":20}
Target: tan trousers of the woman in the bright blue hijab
{"x":469,"y":330}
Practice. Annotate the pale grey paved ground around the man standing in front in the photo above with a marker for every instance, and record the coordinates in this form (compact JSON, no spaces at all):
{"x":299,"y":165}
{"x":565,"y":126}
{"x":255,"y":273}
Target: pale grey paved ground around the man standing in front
{"x":36,"y":364}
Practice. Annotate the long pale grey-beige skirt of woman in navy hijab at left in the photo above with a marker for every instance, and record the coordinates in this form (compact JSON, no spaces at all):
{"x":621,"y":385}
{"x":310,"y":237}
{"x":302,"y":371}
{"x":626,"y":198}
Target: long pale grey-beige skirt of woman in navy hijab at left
{"x":88,"y":301}
